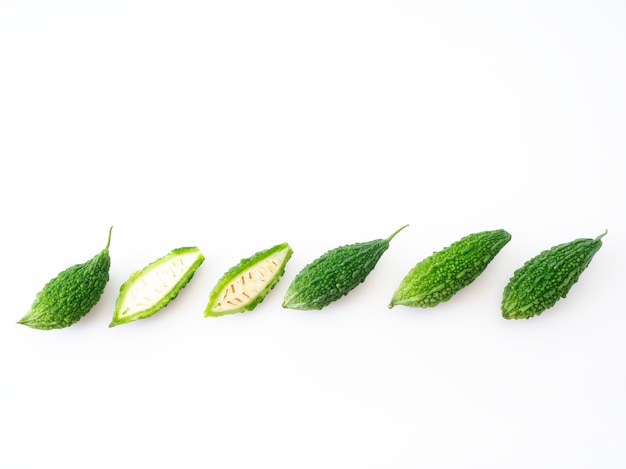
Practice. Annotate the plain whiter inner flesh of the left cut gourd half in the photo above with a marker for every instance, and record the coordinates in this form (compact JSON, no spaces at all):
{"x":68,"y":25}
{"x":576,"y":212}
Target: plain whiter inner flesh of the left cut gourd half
{"x":155,"y":284}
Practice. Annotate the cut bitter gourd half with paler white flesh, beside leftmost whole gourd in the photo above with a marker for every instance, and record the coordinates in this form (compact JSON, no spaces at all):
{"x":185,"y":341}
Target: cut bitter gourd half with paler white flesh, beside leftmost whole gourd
{"x":152,"y":288}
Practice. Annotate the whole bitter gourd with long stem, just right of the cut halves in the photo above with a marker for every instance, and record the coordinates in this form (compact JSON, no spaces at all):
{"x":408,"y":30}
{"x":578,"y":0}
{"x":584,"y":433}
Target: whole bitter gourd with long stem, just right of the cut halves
{"x":334,"y":274}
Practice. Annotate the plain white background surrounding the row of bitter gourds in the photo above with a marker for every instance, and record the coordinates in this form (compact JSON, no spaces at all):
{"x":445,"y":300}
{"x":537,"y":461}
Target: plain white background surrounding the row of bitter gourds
{"x":238,"y":125}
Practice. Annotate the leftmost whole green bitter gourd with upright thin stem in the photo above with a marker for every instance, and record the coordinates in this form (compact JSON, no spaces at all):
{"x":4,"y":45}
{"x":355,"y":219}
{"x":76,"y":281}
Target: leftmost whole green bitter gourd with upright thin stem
{"x":69,"y":296}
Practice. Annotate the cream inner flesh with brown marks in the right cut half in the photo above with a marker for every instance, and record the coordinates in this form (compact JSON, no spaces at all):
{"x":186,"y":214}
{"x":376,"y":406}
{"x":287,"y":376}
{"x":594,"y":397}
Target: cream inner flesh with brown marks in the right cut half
{"x":242,"y":290}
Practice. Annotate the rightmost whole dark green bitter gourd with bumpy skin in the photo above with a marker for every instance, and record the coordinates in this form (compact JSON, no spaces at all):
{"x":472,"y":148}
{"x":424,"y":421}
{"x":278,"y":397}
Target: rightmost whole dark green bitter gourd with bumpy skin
{"x":547,"y":277}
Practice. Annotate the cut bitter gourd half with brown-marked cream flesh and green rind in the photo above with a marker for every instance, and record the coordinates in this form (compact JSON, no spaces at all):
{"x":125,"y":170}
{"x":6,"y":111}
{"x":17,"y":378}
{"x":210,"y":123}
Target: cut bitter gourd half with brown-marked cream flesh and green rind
{"x":245,"y":285}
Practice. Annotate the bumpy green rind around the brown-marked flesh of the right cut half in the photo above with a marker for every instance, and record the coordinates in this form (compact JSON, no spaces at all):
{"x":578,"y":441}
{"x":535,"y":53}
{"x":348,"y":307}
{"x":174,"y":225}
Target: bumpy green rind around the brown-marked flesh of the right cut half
{"x":242,"y":266}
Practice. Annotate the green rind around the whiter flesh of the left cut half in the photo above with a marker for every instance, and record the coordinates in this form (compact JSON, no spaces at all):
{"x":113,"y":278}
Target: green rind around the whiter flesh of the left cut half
{"x":118,"y":319}
